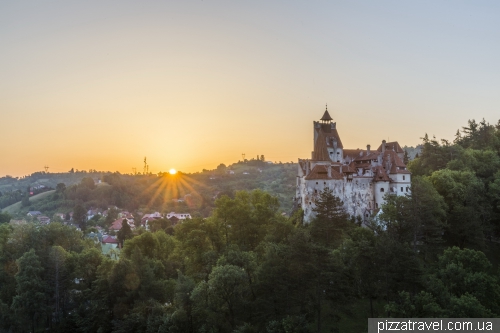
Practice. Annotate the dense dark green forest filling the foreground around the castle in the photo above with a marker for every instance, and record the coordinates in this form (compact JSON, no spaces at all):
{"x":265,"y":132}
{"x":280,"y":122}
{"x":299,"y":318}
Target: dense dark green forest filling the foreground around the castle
{"x":246,"y":267}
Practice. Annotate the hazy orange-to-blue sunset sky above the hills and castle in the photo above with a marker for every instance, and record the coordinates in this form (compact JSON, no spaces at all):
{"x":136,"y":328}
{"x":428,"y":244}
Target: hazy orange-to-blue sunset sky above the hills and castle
{"x":191,"y":84}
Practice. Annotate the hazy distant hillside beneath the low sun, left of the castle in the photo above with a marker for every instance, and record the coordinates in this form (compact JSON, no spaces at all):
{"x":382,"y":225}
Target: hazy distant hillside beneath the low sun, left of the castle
{"x":192,"y":193}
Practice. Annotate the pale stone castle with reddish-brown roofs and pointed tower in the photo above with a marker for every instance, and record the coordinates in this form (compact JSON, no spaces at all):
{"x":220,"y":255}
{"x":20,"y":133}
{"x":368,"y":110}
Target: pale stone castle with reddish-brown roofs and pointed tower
{"x":360,"y":178}
